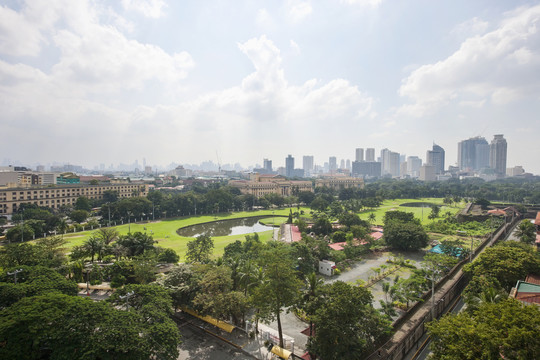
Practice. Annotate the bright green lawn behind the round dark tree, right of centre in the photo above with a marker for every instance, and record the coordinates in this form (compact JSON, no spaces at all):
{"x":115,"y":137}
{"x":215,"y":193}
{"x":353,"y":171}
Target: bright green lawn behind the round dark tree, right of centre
{"x":420,"y":213}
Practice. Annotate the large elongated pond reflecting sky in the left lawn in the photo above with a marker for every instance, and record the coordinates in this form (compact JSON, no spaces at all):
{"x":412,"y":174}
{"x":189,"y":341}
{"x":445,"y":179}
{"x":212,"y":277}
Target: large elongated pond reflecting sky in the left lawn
{"x":225,"y":227}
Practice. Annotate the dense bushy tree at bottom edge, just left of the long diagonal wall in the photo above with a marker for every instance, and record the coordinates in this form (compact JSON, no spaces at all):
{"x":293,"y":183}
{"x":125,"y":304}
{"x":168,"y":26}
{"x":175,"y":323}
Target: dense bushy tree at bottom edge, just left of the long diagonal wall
{"x":346,"y":324}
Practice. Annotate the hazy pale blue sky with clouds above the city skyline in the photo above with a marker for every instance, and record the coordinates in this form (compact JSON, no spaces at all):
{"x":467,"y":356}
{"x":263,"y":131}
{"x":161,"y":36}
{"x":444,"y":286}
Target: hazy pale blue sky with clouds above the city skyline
{"x":89,"y":82}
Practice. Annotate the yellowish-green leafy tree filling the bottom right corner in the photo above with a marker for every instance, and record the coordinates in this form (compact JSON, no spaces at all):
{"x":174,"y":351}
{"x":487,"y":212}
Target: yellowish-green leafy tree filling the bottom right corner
{"x":504,"y":330}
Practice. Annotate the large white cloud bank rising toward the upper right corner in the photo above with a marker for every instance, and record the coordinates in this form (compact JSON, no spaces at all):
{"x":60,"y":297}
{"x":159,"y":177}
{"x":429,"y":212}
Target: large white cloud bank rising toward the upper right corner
{"x":497,"y":66}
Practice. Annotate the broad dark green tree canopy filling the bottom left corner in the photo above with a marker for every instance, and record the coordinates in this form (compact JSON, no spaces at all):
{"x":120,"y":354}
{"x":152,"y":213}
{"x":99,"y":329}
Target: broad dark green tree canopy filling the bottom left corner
{"x":50,"y":326}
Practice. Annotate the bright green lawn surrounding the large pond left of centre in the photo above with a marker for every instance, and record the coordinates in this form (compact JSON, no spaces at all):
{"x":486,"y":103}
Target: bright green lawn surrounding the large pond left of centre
{"x":164,"y":231}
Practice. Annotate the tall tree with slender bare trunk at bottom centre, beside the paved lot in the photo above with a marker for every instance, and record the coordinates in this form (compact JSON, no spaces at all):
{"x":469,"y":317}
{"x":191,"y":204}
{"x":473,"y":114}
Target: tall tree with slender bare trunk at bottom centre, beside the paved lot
{"x":280,"y":286}
